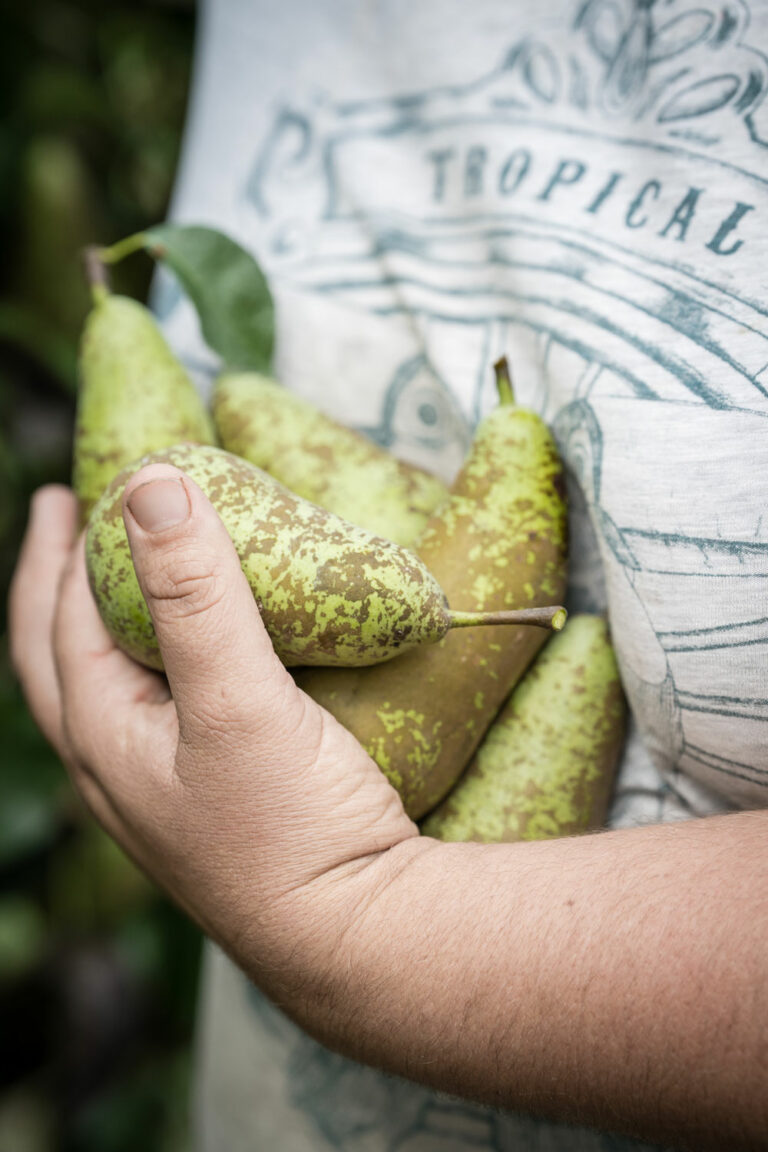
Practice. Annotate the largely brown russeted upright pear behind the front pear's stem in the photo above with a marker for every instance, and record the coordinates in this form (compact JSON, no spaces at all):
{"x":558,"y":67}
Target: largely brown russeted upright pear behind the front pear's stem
{"x":499,"y":542}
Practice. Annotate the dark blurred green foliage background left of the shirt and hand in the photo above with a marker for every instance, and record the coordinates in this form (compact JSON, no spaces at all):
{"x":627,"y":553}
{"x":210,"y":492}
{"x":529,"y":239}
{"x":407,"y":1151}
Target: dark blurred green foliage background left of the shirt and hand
{"x":98,"y":973}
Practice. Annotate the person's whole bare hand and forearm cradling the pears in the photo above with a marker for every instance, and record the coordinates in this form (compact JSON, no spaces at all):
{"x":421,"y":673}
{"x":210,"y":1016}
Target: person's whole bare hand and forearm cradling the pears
{"x":615,"y":980}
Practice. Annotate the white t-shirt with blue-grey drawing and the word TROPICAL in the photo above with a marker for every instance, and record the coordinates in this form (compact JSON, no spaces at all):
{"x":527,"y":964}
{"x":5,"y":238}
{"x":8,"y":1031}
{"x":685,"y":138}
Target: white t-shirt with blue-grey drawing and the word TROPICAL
{"x":582,"y":185}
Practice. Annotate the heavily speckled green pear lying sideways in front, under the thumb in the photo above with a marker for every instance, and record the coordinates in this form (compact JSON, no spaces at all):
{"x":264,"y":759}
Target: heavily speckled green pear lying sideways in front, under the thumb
{"x":329,"y":593}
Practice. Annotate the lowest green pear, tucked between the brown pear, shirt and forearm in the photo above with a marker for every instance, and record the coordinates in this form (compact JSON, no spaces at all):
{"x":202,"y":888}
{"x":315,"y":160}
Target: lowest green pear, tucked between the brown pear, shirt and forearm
{"x":546,"y":767}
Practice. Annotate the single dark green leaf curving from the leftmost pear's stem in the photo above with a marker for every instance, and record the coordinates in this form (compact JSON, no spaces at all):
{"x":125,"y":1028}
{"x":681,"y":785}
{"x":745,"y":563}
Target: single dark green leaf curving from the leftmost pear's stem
{"x":227,"y":287}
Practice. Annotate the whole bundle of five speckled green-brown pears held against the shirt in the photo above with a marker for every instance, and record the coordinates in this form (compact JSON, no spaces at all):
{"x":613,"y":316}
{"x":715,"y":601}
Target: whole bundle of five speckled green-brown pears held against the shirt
{"x":492,"y":721}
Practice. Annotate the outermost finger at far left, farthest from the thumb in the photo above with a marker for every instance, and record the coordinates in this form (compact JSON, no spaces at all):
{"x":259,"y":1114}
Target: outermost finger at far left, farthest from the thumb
{"x":33,"y":600}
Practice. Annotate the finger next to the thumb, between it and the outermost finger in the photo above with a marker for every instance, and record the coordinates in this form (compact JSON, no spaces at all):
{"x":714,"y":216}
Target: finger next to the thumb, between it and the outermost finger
{"x":118,"y":716}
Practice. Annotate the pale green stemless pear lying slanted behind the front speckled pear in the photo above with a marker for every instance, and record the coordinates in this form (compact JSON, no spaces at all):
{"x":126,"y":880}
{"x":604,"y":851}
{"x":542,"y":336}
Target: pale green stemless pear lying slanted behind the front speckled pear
{"x":323,"y":461}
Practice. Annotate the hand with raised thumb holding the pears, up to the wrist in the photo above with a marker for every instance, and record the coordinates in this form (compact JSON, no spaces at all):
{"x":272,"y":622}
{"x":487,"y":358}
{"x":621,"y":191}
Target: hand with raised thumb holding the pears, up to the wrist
{"x":225,"y":783}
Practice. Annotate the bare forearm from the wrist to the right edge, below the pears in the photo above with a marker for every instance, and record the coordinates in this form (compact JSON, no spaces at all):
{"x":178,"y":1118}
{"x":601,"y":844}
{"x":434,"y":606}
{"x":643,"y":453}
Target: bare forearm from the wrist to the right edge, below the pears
{"x":617,"y":980}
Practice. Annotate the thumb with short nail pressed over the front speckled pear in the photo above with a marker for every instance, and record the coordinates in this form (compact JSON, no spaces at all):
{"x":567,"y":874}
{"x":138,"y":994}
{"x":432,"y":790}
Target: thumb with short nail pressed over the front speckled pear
{"x":222,"y":668}
